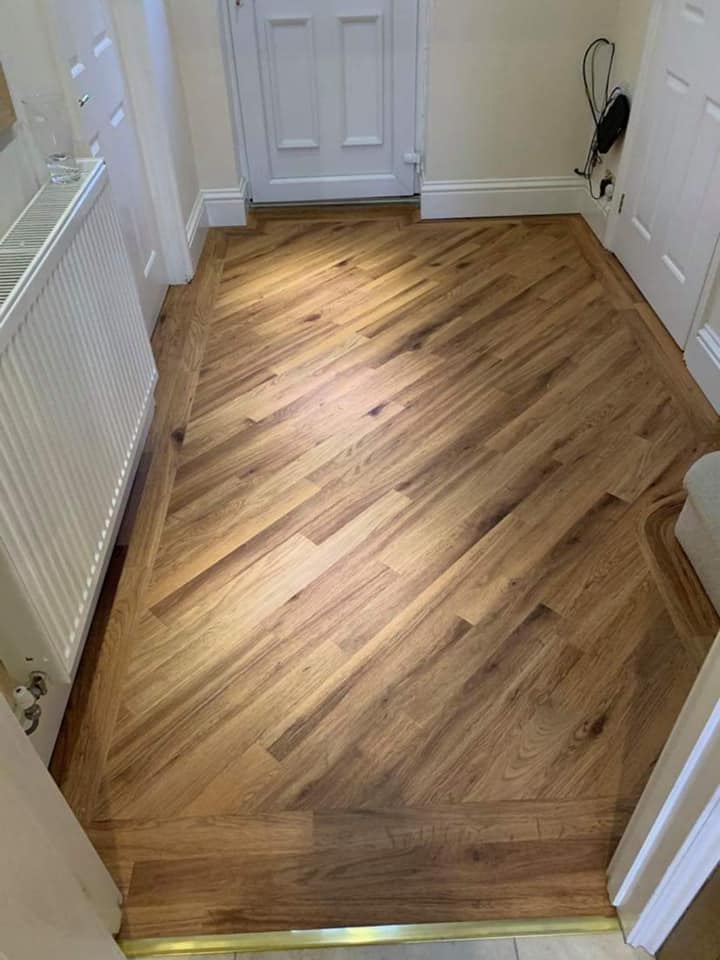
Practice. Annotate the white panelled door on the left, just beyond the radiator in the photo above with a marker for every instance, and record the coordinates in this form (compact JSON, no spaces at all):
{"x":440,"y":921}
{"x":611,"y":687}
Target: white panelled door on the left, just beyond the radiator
{"x":86,"y":45}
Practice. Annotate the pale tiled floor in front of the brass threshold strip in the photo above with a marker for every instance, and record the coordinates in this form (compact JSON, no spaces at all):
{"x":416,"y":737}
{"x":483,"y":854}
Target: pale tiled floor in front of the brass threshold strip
{"x":607,"y":946}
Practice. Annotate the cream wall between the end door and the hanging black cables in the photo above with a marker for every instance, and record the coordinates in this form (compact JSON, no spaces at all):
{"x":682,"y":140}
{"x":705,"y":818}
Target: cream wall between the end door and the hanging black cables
{"x":505,"y":95}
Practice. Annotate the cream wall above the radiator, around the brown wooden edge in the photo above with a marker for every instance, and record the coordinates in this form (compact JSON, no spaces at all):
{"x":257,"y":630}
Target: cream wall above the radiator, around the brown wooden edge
{"x":30,"y":68}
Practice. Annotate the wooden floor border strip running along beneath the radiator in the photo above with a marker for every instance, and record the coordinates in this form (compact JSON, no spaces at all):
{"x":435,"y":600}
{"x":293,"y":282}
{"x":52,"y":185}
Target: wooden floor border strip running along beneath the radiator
{"x":81,"y":751}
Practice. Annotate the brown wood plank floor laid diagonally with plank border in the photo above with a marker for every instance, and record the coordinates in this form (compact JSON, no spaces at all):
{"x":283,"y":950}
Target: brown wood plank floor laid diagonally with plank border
{"x":402,"y":656}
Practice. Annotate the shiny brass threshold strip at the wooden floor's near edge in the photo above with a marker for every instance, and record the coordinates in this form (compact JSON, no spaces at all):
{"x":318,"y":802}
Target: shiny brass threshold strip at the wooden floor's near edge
{"x":364,"y":936}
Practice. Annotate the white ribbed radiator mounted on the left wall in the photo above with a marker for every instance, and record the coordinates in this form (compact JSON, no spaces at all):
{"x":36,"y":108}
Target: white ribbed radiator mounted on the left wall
{"x":76,"y":396}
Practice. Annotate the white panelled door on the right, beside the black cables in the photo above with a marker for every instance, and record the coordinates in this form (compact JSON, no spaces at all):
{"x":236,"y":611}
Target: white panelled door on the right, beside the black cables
{"x":670,"y":220}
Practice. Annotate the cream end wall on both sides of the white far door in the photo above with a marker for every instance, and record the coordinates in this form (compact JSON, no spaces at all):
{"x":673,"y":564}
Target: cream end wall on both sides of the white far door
{"x":505,"y":98}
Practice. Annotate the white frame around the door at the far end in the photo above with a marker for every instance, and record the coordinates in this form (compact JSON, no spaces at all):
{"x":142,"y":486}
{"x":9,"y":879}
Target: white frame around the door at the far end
{"x":242,"y":163}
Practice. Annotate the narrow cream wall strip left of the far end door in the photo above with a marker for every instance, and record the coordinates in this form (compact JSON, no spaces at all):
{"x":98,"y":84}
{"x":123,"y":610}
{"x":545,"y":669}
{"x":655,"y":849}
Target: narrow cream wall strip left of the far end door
{"x":198,"y":47}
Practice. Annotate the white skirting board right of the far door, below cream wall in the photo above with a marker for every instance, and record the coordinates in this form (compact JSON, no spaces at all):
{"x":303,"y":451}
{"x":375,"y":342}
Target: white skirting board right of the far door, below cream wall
{"x":448,"y":199}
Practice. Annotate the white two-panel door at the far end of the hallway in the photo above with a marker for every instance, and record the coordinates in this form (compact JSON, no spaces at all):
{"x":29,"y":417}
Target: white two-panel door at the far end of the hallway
{"x":328,"y":96}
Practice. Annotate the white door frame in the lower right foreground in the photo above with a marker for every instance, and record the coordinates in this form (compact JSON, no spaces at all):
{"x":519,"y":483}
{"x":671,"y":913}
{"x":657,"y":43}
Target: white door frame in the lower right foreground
{"x":672,"y":843}
